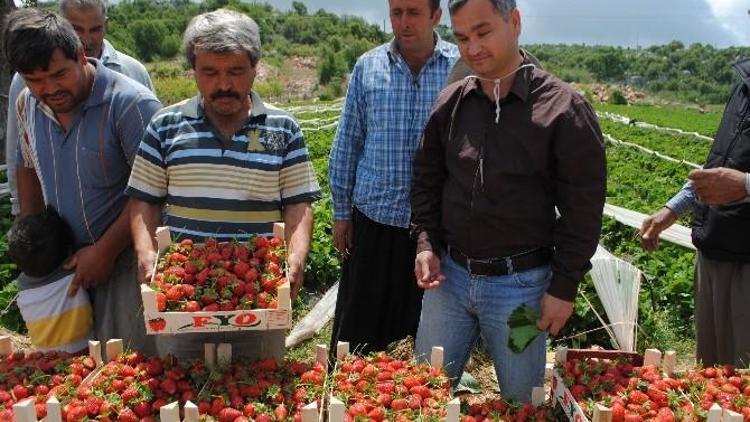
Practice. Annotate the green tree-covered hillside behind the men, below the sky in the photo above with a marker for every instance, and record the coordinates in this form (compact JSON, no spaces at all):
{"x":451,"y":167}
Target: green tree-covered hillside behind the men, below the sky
{"x":151,"y":30}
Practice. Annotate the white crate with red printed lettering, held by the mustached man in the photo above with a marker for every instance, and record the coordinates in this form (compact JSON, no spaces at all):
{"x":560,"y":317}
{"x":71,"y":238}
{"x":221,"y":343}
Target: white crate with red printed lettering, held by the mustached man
{"x":214,"y":322}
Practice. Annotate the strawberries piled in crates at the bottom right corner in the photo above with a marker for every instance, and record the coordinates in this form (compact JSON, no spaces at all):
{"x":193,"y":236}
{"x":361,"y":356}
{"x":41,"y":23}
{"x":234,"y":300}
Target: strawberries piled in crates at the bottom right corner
{"x":644,"y":394}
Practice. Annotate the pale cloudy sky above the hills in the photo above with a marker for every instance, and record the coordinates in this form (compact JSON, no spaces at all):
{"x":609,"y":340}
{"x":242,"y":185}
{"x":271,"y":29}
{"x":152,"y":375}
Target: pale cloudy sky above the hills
{"x":610,"y":22}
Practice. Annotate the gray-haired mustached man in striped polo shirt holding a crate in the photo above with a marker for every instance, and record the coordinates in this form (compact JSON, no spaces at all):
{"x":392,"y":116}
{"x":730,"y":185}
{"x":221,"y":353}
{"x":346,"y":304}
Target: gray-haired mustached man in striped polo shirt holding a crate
{"x":223,"y":165}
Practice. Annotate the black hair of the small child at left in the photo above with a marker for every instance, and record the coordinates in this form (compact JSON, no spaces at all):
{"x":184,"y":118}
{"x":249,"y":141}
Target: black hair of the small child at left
{"x":40,"y":243}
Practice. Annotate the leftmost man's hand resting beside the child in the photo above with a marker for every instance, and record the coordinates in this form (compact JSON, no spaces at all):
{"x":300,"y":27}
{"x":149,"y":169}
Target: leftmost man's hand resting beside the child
{"x":92,"y":266}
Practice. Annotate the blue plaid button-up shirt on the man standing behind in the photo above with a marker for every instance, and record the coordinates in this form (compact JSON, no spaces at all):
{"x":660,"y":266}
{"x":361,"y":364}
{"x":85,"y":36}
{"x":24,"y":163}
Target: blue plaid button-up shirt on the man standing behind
{"x":385,"y":111}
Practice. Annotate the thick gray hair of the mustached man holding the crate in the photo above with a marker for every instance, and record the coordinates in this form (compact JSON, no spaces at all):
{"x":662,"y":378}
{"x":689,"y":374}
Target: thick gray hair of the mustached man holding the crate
{"x":222,"y":31}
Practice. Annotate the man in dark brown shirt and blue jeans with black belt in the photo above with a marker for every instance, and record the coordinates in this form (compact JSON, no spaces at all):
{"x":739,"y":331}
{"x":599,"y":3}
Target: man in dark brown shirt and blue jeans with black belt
{"x":500,"y":152}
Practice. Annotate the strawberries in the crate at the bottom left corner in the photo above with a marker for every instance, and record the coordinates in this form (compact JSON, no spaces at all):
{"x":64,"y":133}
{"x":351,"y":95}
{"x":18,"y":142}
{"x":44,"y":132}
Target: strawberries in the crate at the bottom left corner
{"x":39,"y":375}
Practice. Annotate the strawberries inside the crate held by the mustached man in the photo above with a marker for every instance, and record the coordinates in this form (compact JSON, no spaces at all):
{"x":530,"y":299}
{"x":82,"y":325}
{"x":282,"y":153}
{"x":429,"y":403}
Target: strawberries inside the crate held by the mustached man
{"x":219,"y":276}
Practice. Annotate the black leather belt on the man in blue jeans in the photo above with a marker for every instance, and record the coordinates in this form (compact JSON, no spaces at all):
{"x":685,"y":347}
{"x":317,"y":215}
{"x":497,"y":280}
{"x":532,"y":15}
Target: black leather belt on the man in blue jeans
{"x":502,"y":266}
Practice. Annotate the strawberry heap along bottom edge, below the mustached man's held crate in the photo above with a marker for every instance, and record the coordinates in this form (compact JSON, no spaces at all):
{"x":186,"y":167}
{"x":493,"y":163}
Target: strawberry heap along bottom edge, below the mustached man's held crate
{"x":133,"y":388}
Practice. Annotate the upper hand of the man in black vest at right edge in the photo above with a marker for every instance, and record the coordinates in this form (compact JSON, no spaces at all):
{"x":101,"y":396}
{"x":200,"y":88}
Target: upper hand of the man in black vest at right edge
{"x":719,"y":185}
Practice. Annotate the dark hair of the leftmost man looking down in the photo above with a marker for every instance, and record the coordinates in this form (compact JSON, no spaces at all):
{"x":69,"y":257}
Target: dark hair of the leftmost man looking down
{"x":31,"y":36}
